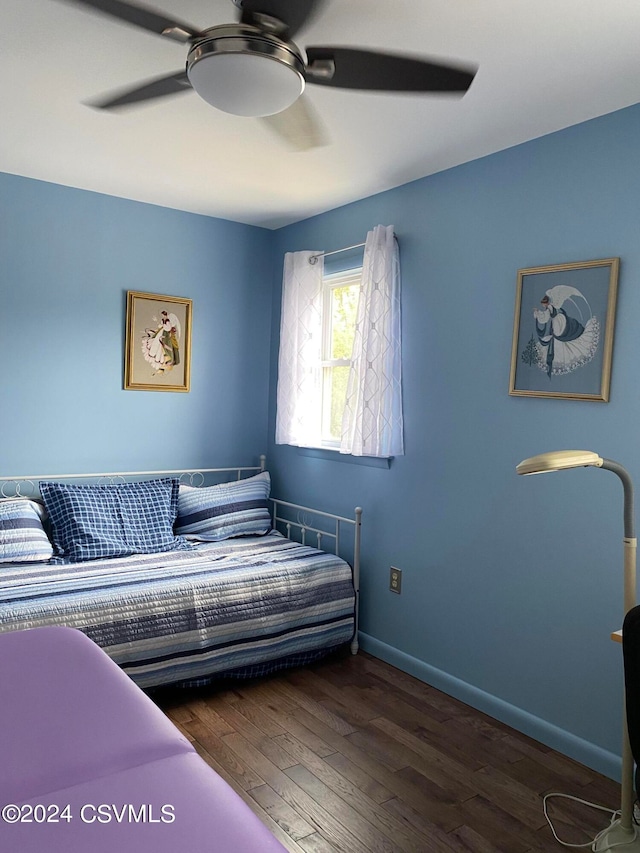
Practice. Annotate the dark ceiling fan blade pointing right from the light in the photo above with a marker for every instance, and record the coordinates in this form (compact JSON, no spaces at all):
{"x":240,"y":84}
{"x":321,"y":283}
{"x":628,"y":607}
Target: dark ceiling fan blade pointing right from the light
{"x":351,"y":68}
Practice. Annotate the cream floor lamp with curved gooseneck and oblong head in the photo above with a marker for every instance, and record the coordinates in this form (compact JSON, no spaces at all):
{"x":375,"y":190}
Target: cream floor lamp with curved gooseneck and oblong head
{"x":622,"y":835}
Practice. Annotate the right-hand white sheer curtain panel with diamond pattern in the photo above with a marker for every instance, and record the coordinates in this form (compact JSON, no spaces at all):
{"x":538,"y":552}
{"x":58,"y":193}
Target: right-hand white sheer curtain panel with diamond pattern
{"x":372,"y":421}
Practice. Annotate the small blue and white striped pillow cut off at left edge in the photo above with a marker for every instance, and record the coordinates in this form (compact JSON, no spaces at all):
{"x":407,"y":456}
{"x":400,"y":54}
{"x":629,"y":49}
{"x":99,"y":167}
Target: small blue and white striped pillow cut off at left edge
{"x":22,"y":536}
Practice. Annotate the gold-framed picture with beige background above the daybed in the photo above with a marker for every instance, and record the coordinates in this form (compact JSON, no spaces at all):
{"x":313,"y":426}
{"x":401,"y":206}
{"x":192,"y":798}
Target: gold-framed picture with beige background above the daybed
{"x":158,"y":342}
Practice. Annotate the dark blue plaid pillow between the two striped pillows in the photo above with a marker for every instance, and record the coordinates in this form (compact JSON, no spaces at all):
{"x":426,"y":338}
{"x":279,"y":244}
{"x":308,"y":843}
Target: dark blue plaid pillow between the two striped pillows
{"x":92,"y":522}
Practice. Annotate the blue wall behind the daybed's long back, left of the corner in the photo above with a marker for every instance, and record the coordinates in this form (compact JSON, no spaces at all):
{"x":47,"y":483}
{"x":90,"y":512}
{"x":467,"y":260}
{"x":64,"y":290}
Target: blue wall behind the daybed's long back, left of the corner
{"x":67,"y":259}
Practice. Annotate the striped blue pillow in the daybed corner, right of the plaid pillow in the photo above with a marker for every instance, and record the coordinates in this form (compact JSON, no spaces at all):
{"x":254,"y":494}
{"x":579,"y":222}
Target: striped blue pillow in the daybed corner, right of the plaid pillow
{"x":219,"y":512}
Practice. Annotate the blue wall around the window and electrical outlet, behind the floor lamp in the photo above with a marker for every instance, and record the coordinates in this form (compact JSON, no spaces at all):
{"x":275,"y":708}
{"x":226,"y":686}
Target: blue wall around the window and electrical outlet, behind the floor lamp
{"x":511,"y":585}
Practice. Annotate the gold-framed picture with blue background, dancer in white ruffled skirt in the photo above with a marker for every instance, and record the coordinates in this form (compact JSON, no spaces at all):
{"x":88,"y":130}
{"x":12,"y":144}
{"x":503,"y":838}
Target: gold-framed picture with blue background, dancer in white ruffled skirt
{"x":563,"y":331}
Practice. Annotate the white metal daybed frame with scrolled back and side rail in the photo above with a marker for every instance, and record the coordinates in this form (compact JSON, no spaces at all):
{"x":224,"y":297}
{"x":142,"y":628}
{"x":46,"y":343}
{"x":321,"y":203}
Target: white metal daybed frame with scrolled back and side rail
{"x":292,"y":520}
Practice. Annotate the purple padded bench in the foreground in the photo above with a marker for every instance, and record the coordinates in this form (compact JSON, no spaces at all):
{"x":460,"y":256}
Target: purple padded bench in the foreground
{"x":89,"y":763}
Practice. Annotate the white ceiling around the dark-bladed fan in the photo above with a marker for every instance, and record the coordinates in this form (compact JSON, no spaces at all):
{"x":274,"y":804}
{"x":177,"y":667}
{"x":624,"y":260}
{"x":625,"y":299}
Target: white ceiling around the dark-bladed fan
{"x":544,"y":65}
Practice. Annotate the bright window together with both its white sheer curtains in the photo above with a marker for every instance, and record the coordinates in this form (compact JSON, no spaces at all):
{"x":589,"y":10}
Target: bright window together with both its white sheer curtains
{"x":339,"y":364}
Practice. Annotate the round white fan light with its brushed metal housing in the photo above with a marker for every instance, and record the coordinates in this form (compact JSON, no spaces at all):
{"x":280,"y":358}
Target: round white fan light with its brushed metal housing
{"x":245,"y":74}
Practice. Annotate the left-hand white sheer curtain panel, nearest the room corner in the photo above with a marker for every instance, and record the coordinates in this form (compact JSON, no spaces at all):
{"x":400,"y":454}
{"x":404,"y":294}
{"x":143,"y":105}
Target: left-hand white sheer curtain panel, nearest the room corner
{"x":298,"y":418}
